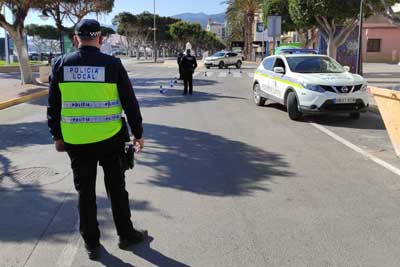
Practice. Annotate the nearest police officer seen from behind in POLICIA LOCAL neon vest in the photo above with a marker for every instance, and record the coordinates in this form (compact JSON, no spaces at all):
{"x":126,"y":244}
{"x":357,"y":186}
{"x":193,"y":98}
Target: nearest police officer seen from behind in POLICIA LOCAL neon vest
{"x":88,"y":91}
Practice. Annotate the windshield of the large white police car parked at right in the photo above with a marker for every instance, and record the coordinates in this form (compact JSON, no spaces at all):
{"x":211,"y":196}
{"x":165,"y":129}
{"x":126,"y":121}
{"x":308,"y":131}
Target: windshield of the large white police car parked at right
{"x":314,"y":65}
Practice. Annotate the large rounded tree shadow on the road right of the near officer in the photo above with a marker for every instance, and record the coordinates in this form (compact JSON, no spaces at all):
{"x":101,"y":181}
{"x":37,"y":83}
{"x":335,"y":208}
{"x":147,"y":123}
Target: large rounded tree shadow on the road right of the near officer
{"x":208,"y":164}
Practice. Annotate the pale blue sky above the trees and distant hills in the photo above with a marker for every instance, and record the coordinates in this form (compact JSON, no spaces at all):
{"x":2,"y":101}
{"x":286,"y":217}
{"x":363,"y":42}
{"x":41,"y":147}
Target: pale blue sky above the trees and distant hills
{"x":163,"y":7}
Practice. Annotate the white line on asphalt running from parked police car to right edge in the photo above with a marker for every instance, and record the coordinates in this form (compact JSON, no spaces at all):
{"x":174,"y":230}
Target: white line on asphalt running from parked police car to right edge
{"x":350,"y":145}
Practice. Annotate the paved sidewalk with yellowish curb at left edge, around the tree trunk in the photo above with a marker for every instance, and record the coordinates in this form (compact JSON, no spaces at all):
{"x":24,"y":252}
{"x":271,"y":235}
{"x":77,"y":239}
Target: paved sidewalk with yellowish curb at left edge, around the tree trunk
{"x":13,"y":93}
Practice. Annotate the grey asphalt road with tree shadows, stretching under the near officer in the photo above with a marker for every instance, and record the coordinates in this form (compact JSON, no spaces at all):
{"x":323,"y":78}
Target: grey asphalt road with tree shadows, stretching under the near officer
{"x":220,"y":183}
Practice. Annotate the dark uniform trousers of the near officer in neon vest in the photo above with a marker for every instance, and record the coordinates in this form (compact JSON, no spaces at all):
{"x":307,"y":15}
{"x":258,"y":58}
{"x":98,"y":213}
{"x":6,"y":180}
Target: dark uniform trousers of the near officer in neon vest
{"x":84,"y":161}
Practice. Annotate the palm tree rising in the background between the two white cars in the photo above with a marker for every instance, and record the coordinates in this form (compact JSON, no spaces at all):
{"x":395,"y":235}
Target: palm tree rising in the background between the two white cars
{"x":240,"y":15}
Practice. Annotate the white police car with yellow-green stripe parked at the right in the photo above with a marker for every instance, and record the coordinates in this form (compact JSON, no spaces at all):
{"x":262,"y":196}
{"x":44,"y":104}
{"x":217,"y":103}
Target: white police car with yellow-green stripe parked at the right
{"x":310,"y":84}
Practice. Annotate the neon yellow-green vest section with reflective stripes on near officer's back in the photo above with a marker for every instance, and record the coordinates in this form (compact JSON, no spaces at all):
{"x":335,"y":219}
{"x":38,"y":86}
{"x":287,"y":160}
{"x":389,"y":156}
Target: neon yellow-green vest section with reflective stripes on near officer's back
{"x":91,"y":112}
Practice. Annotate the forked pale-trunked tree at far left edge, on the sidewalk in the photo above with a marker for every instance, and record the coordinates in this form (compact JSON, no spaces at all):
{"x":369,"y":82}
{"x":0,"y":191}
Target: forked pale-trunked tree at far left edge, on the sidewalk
{"x":16,"y":30}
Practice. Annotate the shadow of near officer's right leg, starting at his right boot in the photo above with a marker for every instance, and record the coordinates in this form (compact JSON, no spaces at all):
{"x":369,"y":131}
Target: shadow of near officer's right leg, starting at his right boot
{"x":153,"y":256}
